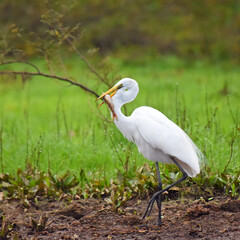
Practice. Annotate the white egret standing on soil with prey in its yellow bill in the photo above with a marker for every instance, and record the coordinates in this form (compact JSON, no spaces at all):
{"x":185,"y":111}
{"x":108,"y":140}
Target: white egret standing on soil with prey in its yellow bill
{"x":158,"y":138}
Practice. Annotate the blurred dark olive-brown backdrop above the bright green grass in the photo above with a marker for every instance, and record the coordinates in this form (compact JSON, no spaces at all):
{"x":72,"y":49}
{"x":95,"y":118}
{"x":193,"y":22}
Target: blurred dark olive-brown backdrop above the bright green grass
{"x":190,"y":29}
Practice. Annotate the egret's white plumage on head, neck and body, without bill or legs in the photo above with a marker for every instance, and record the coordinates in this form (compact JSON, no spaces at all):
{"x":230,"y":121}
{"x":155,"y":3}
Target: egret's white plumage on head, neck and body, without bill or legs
{"x":155,"y":135}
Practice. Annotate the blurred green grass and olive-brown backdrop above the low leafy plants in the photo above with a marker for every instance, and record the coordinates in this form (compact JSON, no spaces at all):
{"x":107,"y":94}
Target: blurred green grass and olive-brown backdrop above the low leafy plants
{"x":184,"y":54}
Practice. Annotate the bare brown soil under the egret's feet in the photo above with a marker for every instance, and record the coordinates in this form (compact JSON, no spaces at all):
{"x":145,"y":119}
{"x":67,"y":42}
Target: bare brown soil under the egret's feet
{"x":94,"y":219}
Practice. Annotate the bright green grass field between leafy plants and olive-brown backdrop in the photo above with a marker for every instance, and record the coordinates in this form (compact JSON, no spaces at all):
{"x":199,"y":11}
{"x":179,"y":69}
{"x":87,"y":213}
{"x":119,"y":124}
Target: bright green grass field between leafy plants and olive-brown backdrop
{"x":53,"y":125}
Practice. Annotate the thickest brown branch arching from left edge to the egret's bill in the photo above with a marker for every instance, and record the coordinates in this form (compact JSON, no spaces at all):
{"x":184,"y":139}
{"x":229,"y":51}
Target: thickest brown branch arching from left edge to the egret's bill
{"x":49,"y":76}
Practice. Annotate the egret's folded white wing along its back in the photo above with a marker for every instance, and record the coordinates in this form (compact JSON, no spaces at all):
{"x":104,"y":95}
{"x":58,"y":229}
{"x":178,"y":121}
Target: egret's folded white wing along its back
{"x":161,"y":133}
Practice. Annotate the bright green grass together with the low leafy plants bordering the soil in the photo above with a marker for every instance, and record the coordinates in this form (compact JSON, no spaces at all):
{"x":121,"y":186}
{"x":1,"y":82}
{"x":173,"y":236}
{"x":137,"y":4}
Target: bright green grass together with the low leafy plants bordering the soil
{"x":50,"y":129}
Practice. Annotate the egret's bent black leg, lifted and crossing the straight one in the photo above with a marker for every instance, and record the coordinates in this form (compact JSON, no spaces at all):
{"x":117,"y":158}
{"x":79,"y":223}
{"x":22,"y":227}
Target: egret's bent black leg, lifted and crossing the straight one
{"x":159,"y":193}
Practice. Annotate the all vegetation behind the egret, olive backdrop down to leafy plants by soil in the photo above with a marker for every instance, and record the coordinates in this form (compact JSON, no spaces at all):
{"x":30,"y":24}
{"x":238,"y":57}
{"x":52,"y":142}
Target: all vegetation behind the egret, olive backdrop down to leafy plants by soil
{"x":55,"y":142}
